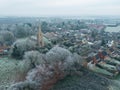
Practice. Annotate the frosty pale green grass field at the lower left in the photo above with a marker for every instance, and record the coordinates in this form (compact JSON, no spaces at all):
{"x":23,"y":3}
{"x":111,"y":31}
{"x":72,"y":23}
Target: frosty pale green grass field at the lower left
{"x":9,"y":69}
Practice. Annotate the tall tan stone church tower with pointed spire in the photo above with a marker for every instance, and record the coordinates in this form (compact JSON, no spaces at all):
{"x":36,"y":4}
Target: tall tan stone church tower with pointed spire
{"x":40,"y":41}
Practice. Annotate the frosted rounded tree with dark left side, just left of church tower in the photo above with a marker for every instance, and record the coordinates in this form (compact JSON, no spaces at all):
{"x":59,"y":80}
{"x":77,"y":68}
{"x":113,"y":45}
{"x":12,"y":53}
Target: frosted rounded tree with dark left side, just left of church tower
{"x":21,"y":46}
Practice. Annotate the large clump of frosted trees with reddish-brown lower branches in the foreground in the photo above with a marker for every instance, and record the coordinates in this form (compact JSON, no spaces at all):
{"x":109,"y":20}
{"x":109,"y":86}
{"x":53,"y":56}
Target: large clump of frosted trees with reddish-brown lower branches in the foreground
{"x":49,"y":68}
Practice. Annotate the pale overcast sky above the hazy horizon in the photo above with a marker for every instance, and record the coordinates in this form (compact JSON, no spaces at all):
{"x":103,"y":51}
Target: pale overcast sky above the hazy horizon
{"x":59,"y":7}
